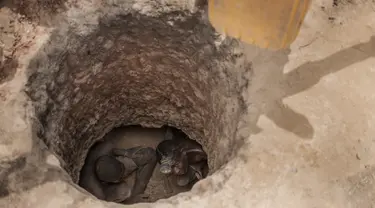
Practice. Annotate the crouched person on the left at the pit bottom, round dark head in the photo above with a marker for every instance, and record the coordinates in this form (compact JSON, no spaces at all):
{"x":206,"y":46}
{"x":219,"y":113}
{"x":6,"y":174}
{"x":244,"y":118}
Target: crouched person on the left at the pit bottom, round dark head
{"x":117,"y":175}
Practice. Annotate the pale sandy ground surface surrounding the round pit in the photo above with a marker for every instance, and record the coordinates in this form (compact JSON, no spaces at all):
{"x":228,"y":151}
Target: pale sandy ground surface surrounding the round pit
{"x":311,"y":123}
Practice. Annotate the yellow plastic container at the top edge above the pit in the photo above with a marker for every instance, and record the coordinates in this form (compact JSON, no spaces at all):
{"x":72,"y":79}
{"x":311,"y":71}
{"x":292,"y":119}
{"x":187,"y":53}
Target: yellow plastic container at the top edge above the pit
{"x":266,"y":23}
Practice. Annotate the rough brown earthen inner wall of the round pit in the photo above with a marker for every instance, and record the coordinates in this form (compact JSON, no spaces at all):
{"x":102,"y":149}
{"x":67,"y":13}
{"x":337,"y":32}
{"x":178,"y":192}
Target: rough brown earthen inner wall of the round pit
{"x":138,"y":70}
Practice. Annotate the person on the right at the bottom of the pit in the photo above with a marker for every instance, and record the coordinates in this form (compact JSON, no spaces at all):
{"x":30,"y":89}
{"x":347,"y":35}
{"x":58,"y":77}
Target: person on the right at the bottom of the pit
{"x":181,"y":157}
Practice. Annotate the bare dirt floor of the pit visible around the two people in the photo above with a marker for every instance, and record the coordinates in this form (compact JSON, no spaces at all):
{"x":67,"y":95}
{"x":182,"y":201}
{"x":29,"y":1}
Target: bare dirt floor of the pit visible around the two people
{"x":159,"y":186}
